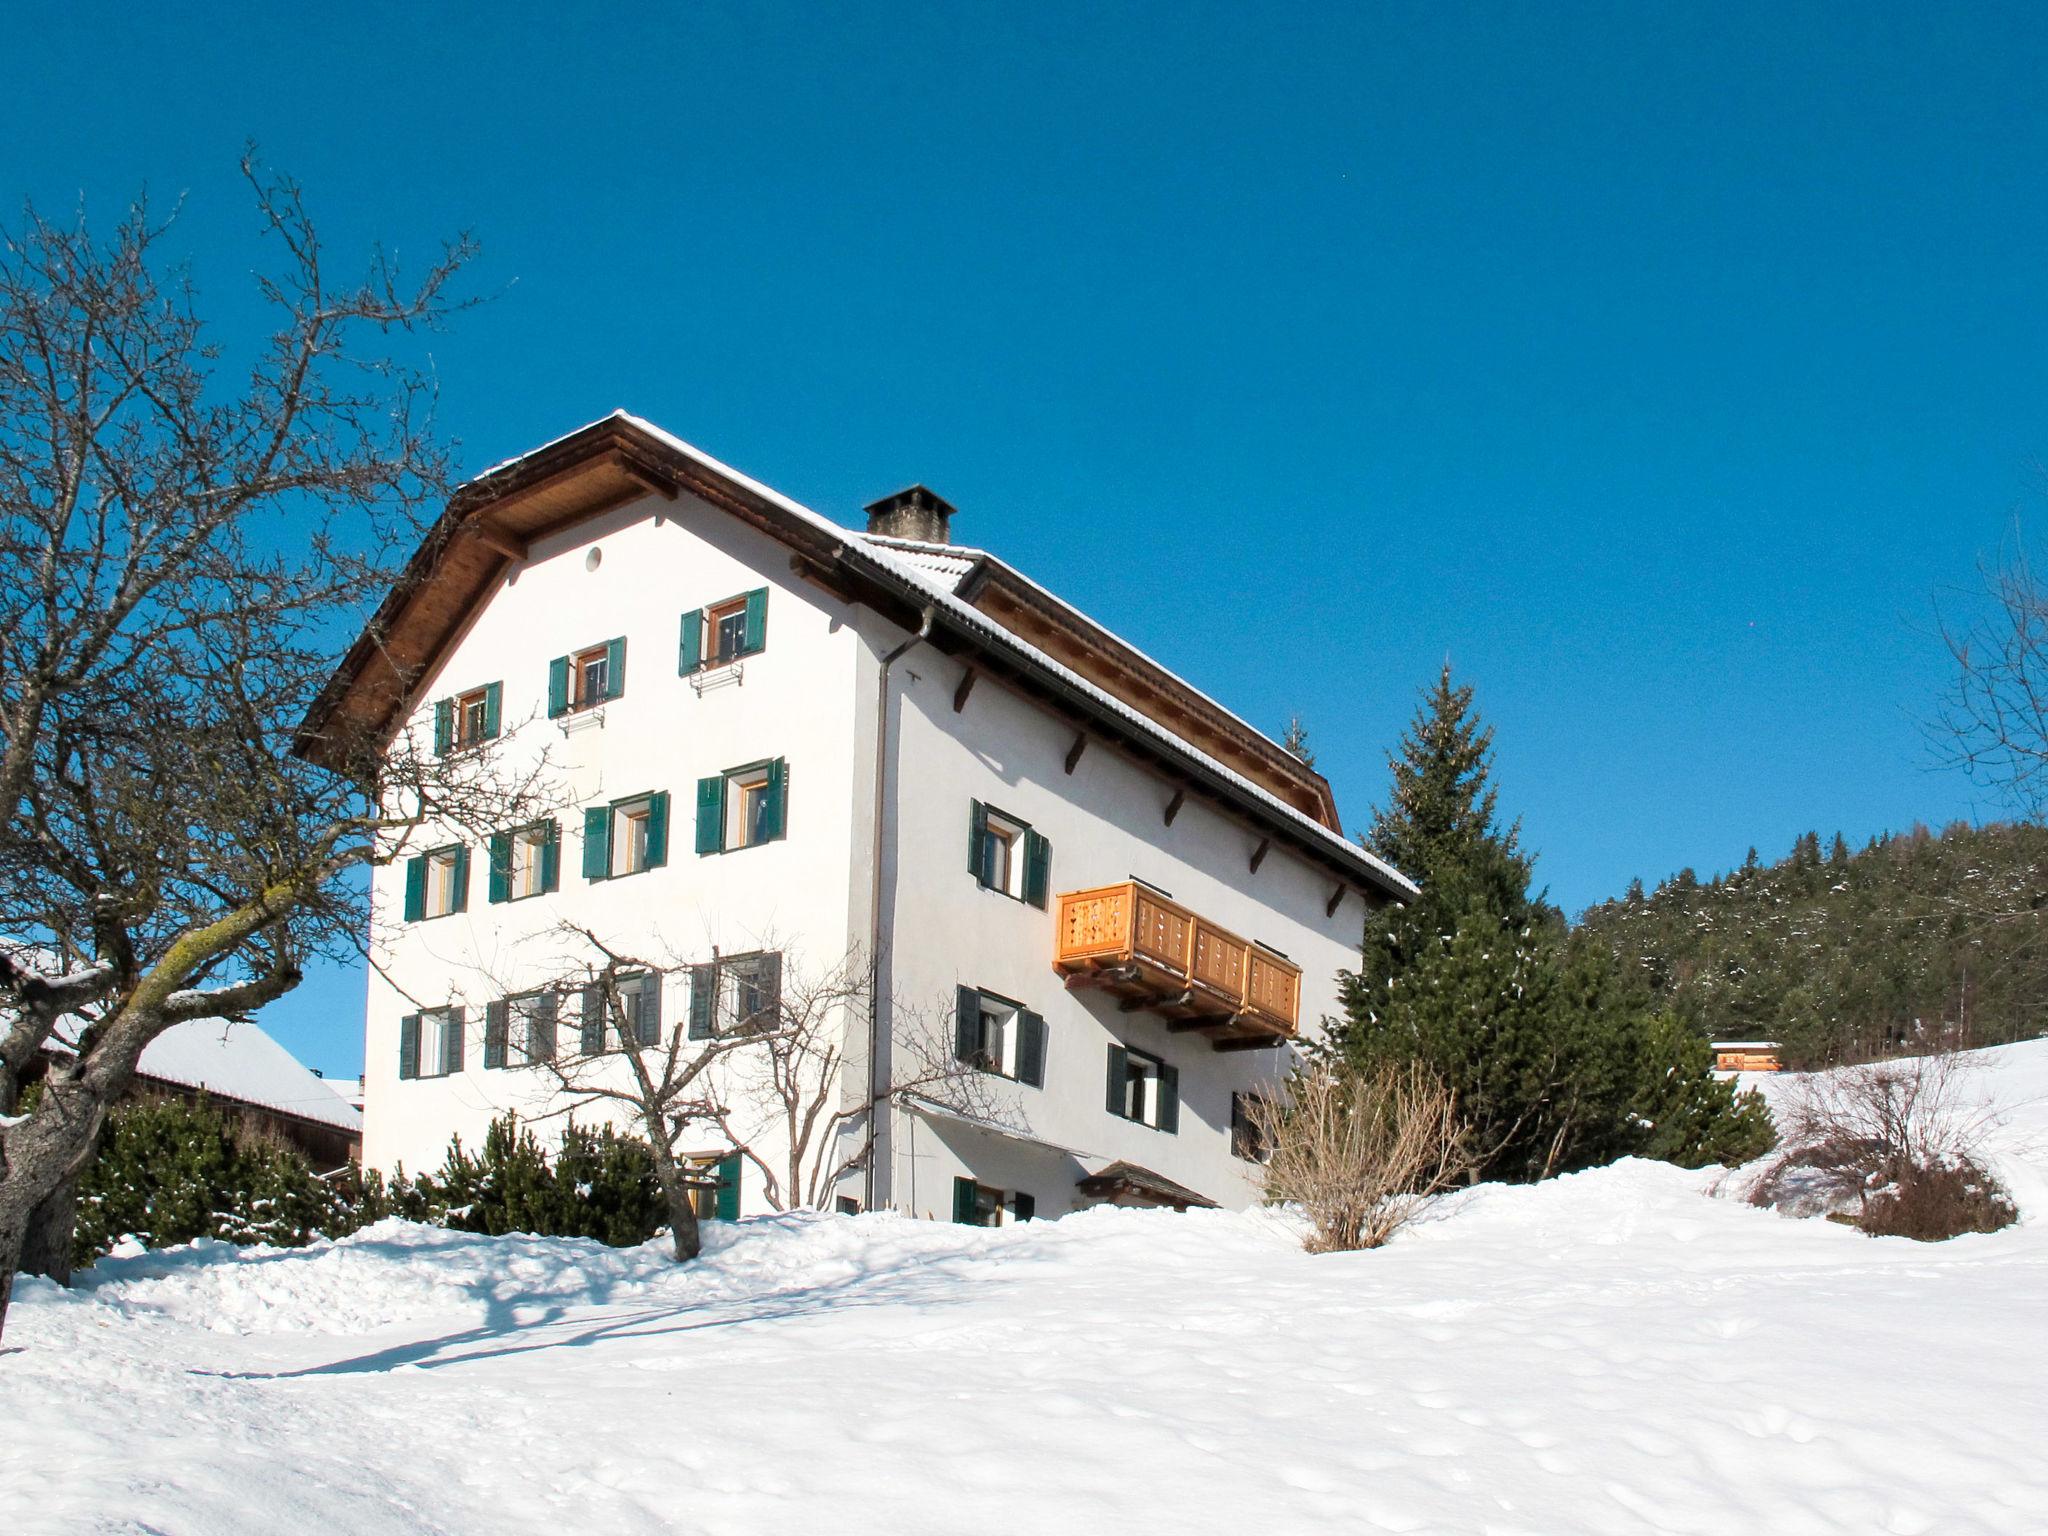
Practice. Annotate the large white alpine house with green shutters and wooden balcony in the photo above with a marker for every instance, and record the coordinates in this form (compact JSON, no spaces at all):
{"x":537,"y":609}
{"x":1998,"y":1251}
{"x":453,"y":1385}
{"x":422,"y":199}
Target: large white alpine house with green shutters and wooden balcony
{"x":783,"y":744}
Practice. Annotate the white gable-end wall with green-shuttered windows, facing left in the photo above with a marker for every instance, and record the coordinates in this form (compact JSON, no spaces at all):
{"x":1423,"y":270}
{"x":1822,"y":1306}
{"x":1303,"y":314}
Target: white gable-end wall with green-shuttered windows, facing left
{"x":794,"y":701}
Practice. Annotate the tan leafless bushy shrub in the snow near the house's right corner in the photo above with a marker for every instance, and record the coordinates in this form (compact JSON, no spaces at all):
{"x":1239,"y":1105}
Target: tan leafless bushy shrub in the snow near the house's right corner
{"x":1361,"y":1152}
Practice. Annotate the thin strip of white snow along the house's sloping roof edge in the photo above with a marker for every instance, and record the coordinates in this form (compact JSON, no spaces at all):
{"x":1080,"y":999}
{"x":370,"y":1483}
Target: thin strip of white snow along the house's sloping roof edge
{"x":927,"y":574}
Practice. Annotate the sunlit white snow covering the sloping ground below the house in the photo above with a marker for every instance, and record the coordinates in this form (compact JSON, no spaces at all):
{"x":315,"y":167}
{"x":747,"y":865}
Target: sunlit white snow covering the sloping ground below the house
{"x":1611,"y":1353}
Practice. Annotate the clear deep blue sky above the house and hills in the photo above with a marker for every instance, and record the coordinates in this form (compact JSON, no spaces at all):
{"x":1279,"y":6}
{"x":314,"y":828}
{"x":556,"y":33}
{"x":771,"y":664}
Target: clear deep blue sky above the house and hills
{"x":1654,"y":364}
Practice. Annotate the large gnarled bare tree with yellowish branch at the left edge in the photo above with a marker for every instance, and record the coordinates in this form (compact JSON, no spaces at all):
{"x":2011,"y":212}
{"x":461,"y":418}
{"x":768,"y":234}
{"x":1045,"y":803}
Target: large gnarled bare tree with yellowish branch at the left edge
{"x":179,"y":550}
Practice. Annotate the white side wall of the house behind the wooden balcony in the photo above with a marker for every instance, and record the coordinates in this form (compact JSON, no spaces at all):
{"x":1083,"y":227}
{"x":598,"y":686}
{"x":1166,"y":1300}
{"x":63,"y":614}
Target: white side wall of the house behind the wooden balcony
{"x":1105,"y":824}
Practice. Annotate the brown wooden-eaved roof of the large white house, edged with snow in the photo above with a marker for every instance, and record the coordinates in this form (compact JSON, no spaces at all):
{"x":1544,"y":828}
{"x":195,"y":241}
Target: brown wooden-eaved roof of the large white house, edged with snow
{"x":622,"y":458}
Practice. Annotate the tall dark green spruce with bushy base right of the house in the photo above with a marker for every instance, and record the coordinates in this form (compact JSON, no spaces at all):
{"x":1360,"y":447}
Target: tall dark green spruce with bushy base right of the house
{"x":1539,"y":1033}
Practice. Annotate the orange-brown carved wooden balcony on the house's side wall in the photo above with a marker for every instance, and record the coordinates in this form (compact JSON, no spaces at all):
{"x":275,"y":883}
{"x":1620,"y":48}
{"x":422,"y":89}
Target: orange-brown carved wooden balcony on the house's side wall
{"x":1156,"y":955}
